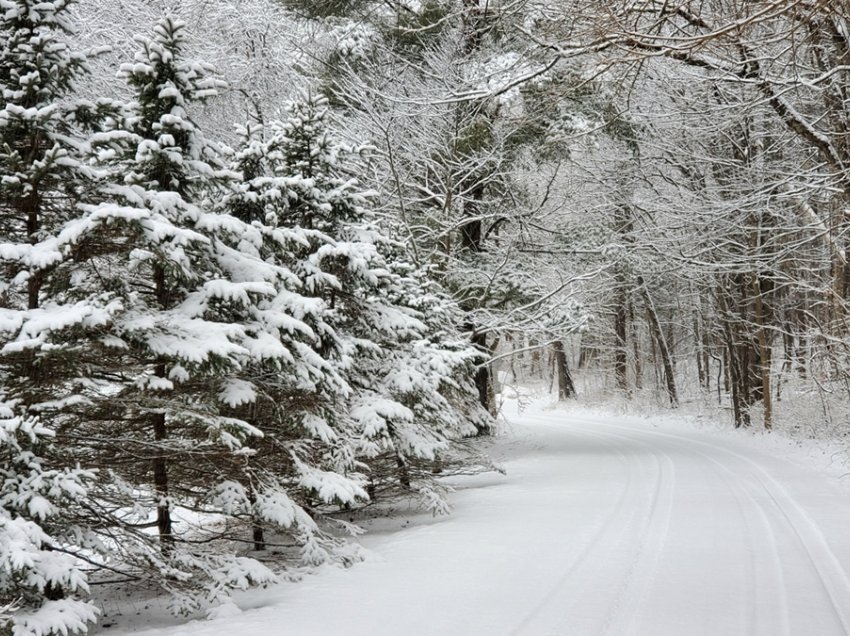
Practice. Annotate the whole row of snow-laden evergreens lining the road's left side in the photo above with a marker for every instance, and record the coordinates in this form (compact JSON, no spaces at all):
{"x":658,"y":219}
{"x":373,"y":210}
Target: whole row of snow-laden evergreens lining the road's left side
{"x":204,"y":349}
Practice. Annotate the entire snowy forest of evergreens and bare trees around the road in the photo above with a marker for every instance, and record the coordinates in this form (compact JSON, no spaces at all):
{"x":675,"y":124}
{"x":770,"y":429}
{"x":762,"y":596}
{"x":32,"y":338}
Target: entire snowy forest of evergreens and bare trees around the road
{"x":270,"y":266}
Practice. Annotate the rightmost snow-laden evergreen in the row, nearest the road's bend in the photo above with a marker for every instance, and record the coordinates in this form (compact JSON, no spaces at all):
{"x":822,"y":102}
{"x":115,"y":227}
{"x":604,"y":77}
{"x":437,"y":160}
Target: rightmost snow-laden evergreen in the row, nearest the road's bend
{"x":387,"y":330}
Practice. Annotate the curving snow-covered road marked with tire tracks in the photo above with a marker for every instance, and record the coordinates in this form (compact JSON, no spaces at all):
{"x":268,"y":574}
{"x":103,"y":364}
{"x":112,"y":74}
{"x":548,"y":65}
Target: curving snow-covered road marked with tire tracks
{"x":701,"y":536}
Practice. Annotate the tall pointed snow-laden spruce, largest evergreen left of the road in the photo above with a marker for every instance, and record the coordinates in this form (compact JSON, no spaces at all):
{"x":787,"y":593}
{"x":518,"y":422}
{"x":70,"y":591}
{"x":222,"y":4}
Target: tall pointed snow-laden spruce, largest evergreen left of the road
{"x":161,"y":312}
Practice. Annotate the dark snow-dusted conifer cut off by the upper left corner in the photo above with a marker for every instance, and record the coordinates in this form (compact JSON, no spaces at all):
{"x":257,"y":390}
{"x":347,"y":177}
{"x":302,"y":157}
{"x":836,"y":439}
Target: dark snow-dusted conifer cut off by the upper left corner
{"x":40,"y":140}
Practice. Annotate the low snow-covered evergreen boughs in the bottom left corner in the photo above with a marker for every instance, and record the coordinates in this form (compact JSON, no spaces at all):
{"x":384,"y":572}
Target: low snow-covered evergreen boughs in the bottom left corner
{"x":39,"y":575}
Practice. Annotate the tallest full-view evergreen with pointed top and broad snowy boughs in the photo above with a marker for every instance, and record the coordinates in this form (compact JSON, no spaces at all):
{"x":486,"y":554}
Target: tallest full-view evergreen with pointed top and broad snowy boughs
{"x":208,"y":346}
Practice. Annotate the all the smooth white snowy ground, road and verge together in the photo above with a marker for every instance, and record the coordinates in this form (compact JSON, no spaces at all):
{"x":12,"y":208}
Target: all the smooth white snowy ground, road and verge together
{"x":602,"y":525}
